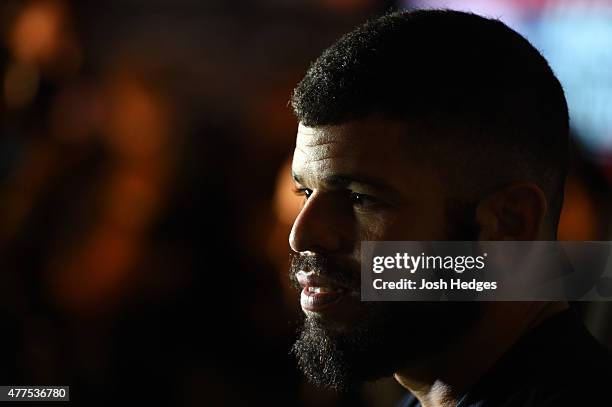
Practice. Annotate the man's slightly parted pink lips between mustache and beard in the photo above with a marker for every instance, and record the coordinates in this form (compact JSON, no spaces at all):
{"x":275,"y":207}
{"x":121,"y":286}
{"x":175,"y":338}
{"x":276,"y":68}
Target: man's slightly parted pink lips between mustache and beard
{"x":319,"y":293}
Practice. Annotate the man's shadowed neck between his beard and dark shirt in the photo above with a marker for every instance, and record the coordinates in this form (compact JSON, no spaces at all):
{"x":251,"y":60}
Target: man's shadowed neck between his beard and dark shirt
{"x":441,"y":380}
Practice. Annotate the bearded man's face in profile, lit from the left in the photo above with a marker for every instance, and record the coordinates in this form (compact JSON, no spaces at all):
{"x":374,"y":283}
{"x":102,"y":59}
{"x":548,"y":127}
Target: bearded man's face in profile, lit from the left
{"x":361,"y":180}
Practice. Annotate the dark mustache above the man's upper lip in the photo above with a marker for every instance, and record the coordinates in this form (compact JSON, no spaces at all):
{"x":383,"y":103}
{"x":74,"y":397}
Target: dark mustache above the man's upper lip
{"x":345,"y":272}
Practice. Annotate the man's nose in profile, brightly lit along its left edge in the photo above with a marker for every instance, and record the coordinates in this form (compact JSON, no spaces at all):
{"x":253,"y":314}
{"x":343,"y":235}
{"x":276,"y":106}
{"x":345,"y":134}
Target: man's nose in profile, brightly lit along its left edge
{"x":317,"y":228}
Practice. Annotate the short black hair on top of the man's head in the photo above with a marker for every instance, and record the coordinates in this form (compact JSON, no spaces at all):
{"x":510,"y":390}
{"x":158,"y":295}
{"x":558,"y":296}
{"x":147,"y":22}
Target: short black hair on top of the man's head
{"x":475,"y":85}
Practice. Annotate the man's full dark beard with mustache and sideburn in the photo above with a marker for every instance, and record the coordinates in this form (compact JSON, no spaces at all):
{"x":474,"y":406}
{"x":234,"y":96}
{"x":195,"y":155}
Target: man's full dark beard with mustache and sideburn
{"x":388,"y":336}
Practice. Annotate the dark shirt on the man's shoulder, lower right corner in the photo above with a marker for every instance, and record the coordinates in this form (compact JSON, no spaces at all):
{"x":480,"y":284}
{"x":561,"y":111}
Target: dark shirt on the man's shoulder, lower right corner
{"x":559,"y":363}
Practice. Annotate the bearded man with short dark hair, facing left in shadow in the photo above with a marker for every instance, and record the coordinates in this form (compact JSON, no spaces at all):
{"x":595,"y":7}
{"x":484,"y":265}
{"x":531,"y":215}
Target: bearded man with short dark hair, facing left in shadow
{"x":434,"y":125}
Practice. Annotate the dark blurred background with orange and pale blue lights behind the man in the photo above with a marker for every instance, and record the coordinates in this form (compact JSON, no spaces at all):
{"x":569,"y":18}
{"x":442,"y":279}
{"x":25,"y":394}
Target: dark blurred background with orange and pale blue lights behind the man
{"x":145,"y":198}
